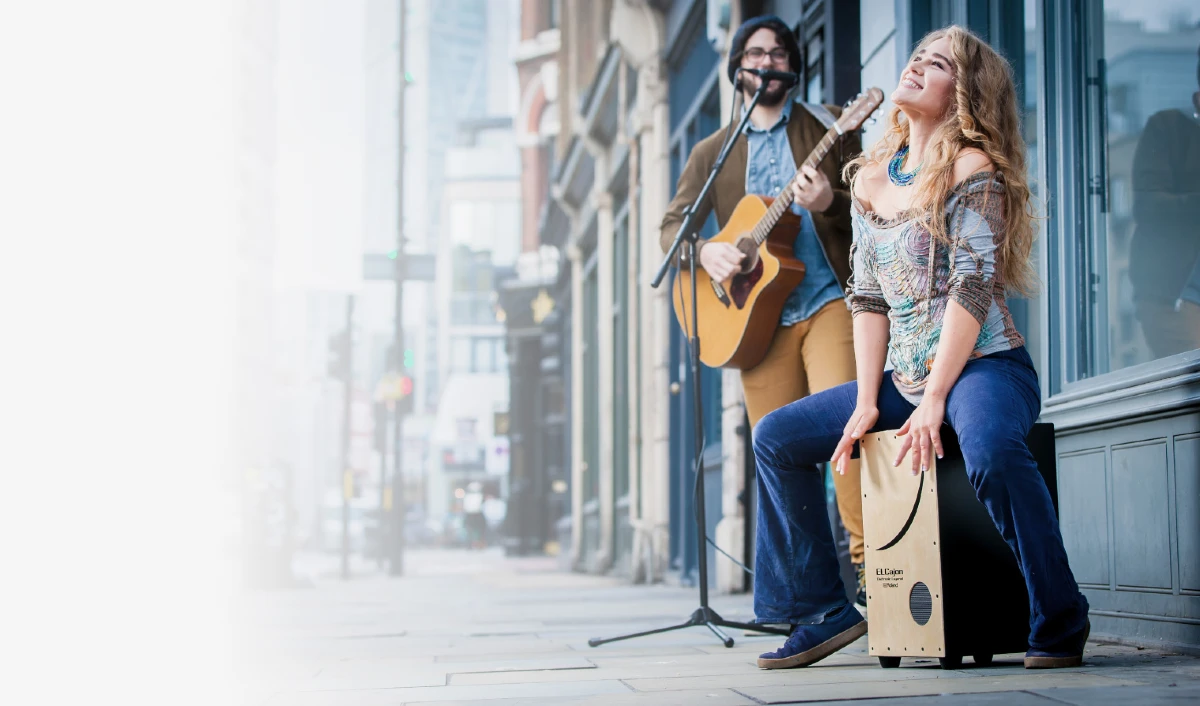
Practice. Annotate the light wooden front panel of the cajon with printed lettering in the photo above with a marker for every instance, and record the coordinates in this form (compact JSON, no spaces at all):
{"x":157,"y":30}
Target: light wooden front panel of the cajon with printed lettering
{"x":901,"y":530}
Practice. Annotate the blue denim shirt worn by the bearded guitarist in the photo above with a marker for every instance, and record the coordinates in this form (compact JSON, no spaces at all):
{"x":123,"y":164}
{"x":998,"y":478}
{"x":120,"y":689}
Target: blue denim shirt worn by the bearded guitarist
{"x":770,"y":167}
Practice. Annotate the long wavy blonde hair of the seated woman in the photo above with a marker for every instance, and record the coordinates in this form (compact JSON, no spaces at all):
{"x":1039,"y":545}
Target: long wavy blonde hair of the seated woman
{"x":983,"y":116}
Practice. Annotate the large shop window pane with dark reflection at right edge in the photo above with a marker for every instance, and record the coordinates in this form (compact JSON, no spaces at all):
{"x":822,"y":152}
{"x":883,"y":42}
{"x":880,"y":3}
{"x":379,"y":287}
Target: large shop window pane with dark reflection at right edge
{"x":1154,"y":181}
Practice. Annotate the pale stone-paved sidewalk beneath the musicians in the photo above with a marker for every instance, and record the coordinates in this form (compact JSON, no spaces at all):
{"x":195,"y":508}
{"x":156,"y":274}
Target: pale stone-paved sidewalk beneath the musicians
{"x":479,"y":629}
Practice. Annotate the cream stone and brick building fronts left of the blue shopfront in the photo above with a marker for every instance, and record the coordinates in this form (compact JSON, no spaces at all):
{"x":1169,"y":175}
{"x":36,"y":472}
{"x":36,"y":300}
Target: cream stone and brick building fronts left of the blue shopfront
{"x":597,"y":112}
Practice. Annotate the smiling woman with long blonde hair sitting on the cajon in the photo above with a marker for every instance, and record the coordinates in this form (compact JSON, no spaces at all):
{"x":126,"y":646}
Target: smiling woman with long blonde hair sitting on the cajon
{"x":944,"y":229}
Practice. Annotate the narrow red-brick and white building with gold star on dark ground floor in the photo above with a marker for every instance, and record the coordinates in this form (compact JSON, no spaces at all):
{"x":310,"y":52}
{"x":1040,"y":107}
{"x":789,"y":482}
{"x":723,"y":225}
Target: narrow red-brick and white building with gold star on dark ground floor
{"x":537,"y":420}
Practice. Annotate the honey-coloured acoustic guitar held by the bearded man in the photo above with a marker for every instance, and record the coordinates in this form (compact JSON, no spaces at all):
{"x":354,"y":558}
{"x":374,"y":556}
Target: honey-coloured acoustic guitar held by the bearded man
{"x":739,"y":321}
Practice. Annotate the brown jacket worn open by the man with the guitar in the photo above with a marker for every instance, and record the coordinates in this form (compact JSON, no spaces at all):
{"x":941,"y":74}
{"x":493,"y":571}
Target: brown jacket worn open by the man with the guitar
{"x":803,"y":134}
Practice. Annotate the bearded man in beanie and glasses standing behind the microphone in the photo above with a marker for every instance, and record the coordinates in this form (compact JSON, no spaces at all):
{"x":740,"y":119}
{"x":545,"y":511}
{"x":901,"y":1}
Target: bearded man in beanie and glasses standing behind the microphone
{"x":813,"y":349}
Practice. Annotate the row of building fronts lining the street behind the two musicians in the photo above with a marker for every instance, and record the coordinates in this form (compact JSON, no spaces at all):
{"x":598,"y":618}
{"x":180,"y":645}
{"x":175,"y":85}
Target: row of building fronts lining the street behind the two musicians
{"x":1113,"y":332}
